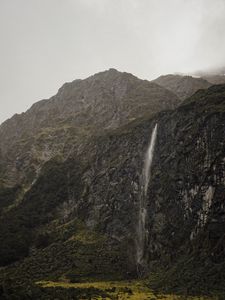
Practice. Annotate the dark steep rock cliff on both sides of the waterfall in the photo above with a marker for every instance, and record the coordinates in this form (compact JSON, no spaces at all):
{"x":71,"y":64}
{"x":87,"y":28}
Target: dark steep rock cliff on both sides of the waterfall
{"x":185,"y":194}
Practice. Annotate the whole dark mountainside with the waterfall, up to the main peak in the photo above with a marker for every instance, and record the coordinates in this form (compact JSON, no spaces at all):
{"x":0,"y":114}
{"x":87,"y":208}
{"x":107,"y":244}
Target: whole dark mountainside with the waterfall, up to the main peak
{"x":100,"y":195}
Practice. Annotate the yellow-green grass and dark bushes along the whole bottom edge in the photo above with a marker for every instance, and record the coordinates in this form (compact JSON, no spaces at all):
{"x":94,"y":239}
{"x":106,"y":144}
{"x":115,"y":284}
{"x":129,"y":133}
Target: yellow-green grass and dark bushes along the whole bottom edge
{"x":108,"y":290}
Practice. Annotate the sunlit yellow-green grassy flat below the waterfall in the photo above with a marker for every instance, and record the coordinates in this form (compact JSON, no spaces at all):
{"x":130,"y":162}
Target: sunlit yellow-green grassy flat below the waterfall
{"x":115,"y":290}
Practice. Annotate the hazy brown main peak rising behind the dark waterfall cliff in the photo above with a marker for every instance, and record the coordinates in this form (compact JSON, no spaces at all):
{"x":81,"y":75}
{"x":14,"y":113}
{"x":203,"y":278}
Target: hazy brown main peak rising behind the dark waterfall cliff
{"x":80,"y":109}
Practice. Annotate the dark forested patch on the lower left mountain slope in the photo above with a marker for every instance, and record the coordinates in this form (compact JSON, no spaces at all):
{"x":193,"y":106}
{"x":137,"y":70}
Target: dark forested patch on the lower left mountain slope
{"x":18,"y":226}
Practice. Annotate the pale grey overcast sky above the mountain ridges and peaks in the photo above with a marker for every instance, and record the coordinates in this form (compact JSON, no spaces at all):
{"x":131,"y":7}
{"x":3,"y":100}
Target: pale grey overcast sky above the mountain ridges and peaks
{"x":45,"y":43}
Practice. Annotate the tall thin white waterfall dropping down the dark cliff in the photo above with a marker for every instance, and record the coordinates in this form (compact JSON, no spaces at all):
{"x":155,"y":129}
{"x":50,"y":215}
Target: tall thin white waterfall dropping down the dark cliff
{"x":142,"y":231}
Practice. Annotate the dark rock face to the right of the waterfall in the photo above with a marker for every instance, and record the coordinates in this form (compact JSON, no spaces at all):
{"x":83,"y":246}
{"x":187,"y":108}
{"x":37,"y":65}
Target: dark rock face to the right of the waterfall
{"x":188,"y":178}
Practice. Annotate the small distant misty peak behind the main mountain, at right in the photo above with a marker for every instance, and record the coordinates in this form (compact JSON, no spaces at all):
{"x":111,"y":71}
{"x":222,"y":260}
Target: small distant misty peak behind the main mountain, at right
{"x":182,"y":85}
